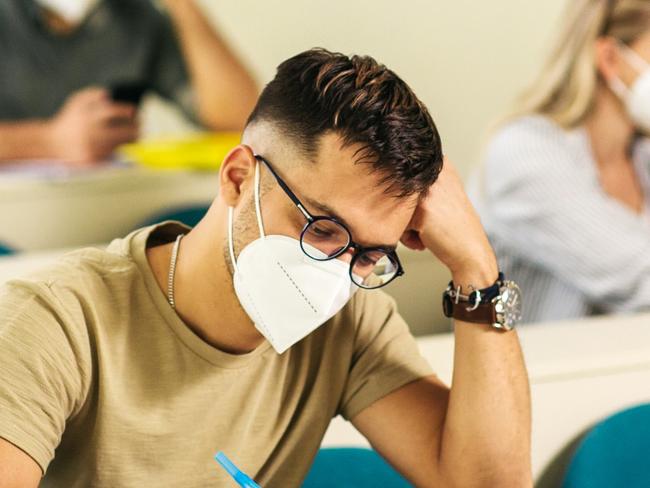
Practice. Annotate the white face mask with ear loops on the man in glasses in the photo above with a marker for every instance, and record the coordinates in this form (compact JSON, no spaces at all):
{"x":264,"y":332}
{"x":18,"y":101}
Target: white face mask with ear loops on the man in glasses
{"x":286,"y":294}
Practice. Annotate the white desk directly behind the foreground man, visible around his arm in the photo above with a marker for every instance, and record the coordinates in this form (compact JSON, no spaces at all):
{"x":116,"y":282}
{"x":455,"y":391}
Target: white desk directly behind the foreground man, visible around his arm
{"x":580,"y":371}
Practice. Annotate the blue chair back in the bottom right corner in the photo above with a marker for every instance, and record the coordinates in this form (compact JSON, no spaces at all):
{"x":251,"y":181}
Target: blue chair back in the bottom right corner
{"x":615,"y":453}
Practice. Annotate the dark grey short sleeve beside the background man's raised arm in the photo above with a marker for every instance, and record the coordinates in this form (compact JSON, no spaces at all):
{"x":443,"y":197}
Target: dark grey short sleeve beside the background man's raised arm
{"x":169,"y":75}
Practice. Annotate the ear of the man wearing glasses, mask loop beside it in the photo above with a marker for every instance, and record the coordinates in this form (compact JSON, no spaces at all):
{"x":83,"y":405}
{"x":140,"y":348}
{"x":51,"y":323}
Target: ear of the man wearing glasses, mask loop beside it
{"x":236,"y":174}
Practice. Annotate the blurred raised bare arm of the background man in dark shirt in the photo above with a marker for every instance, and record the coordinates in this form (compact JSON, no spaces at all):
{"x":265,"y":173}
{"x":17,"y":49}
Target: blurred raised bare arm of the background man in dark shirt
{"x":226,"y":92}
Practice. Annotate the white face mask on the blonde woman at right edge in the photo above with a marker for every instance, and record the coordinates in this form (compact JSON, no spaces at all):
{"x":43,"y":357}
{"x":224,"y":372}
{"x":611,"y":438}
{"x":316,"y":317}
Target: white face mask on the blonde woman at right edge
{"x":637,"y":97}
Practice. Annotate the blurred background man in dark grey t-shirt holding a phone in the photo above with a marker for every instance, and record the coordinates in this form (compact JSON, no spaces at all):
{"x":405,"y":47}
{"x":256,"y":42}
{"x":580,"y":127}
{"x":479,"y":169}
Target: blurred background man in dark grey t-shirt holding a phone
{"x":60,"y":59}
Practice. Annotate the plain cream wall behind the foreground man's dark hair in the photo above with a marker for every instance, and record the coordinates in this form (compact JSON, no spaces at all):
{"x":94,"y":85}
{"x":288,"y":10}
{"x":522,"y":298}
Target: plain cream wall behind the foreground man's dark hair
{"x":466,"y":59}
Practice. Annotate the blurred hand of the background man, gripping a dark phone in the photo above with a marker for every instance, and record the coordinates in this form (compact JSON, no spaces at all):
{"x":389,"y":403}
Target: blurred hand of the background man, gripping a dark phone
{"x":89,"y":127}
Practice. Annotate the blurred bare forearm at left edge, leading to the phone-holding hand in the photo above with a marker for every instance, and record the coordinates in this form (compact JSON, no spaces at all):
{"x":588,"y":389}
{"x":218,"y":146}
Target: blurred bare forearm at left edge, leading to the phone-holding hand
{"x":25,"y":140}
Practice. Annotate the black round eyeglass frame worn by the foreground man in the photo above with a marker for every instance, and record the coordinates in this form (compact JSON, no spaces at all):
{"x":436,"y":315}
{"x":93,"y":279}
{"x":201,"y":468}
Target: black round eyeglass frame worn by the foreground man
{"x":359,"y":250}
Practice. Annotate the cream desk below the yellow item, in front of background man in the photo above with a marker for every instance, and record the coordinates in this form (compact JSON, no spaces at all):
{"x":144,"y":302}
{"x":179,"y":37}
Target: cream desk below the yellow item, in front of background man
{"x":59,"y":209}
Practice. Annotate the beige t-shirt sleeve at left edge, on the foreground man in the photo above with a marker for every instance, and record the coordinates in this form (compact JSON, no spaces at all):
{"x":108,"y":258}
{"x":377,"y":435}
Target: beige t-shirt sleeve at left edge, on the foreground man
{"x":40,"y":380}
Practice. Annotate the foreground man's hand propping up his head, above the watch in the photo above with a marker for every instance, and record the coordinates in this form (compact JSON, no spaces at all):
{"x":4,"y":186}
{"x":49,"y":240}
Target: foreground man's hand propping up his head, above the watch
{"x":446,"y":223}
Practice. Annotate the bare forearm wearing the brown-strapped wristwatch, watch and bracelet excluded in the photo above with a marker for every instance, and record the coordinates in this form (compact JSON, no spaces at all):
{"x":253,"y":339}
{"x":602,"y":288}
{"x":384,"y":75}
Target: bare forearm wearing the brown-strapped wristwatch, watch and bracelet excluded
{"x":486,"y":434}
